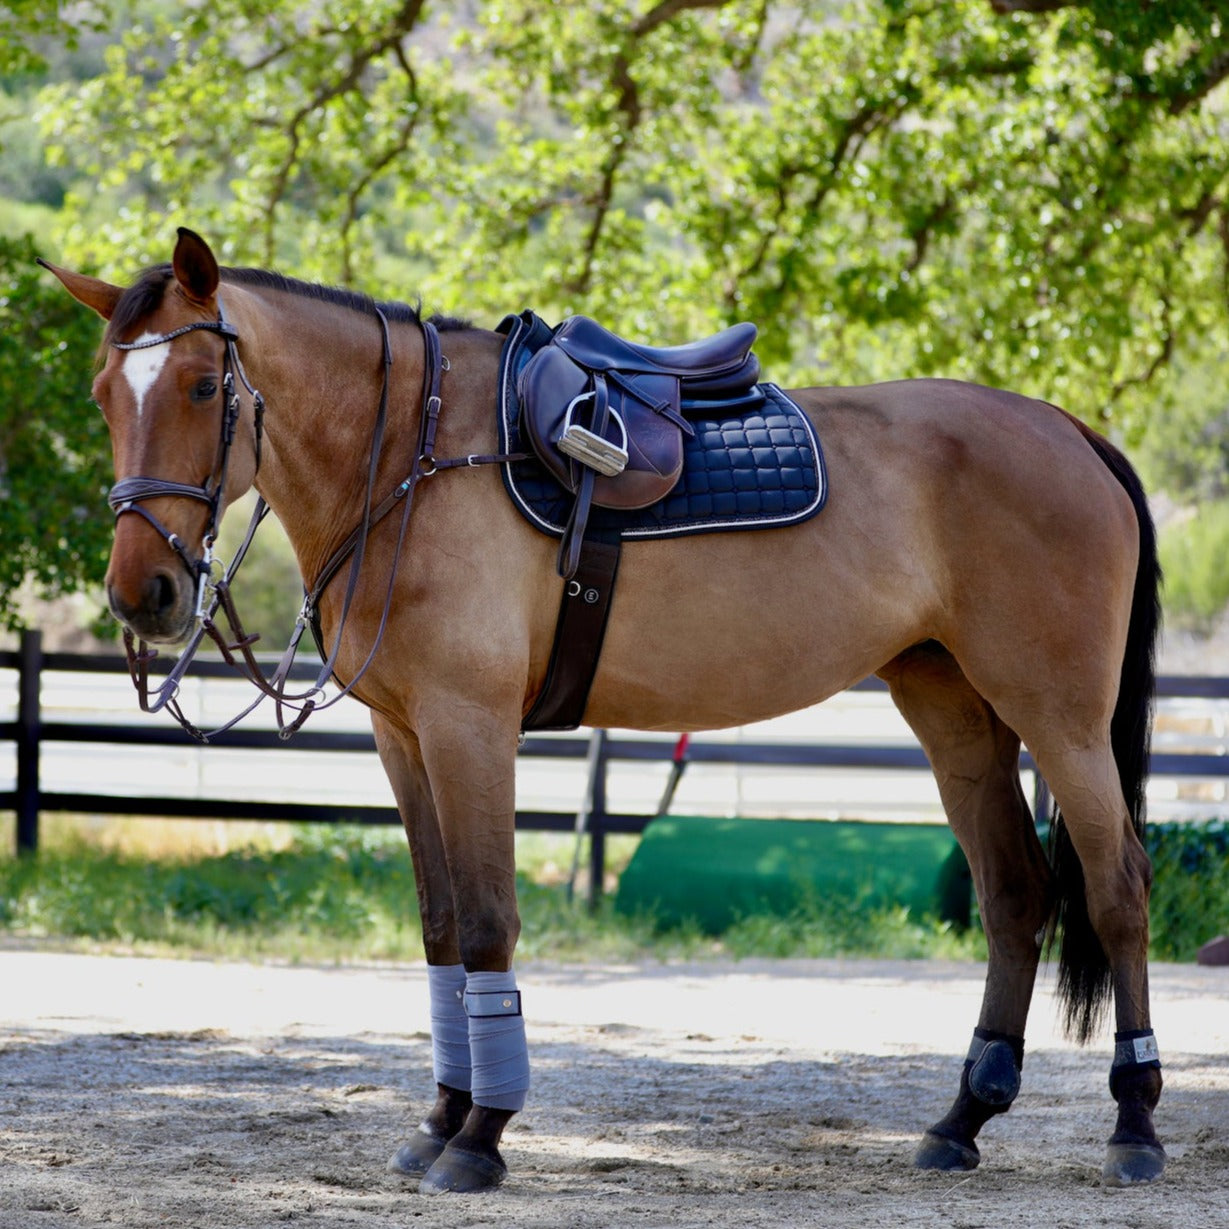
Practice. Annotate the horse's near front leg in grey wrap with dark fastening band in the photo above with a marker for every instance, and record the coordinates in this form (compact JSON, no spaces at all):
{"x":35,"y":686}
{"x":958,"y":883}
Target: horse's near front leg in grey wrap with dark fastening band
{"x":473,"y":774}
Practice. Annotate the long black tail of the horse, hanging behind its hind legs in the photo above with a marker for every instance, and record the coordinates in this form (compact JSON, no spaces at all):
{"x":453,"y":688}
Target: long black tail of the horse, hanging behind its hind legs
{"x":1085,"y":975}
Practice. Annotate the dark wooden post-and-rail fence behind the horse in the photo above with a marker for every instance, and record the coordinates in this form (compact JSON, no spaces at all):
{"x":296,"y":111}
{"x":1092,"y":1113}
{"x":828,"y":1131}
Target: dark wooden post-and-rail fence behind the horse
{"x":31,"y":733}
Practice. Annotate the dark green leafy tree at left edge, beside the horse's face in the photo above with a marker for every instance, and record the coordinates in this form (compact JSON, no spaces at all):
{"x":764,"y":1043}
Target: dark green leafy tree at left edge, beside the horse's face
{"x":55,"y":458}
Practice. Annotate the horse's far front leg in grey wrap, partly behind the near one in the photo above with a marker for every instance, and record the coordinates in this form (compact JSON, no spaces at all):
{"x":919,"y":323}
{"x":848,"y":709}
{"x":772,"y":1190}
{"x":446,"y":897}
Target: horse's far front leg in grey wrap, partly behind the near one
{"x":450,"y":1038}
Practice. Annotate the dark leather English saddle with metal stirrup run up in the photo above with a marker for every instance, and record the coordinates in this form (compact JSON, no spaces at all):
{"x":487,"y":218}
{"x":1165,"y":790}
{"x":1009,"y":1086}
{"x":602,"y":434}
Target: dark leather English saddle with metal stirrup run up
{"x":608,"y":417}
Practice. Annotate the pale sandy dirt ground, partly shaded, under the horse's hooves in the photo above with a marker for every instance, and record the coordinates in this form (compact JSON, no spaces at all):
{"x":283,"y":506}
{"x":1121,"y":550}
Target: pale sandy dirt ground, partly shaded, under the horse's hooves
{"x":147,"y":1093}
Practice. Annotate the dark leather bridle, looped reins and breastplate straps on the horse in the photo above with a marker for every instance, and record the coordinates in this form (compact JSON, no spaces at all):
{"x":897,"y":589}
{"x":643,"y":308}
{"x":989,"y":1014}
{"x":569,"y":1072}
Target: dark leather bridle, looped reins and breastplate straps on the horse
{"x":214,"y":593}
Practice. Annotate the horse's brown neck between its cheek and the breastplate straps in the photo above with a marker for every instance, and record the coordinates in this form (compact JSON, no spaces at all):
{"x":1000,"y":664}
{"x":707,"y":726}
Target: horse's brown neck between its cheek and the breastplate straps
{"x":320,"y":368}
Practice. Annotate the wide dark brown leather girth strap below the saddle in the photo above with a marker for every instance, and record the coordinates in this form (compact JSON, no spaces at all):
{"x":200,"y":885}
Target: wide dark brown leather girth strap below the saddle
{"x":578,"y":638}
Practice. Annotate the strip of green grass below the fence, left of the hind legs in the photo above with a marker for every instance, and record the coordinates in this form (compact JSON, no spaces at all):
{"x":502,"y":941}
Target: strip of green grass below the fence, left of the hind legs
{"x":347,"y":894}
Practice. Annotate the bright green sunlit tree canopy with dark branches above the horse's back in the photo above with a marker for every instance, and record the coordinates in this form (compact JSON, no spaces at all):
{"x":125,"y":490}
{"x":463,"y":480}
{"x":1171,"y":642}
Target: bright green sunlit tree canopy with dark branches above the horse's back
{"x":1029,"y":194}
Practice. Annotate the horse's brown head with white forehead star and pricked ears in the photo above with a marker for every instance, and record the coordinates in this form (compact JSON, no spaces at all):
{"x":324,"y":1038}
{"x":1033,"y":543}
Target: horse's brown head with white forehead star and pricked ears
{"x":168,"y":389}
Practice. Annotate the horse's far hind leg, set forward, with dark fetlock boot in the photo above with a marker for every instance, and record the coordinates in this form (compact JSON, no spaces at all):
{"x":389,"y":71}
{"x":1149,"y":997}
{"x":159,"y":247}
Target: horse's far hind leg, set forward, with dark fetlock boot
{"x":975,"y":758}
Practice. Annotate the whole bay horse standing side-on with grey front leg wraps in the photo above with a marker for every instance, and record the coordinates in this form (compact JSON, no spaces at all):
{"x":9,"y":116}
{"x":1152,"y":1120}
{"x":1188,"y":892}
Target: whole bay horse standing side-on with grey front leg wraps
{"x":988,"y":555}
